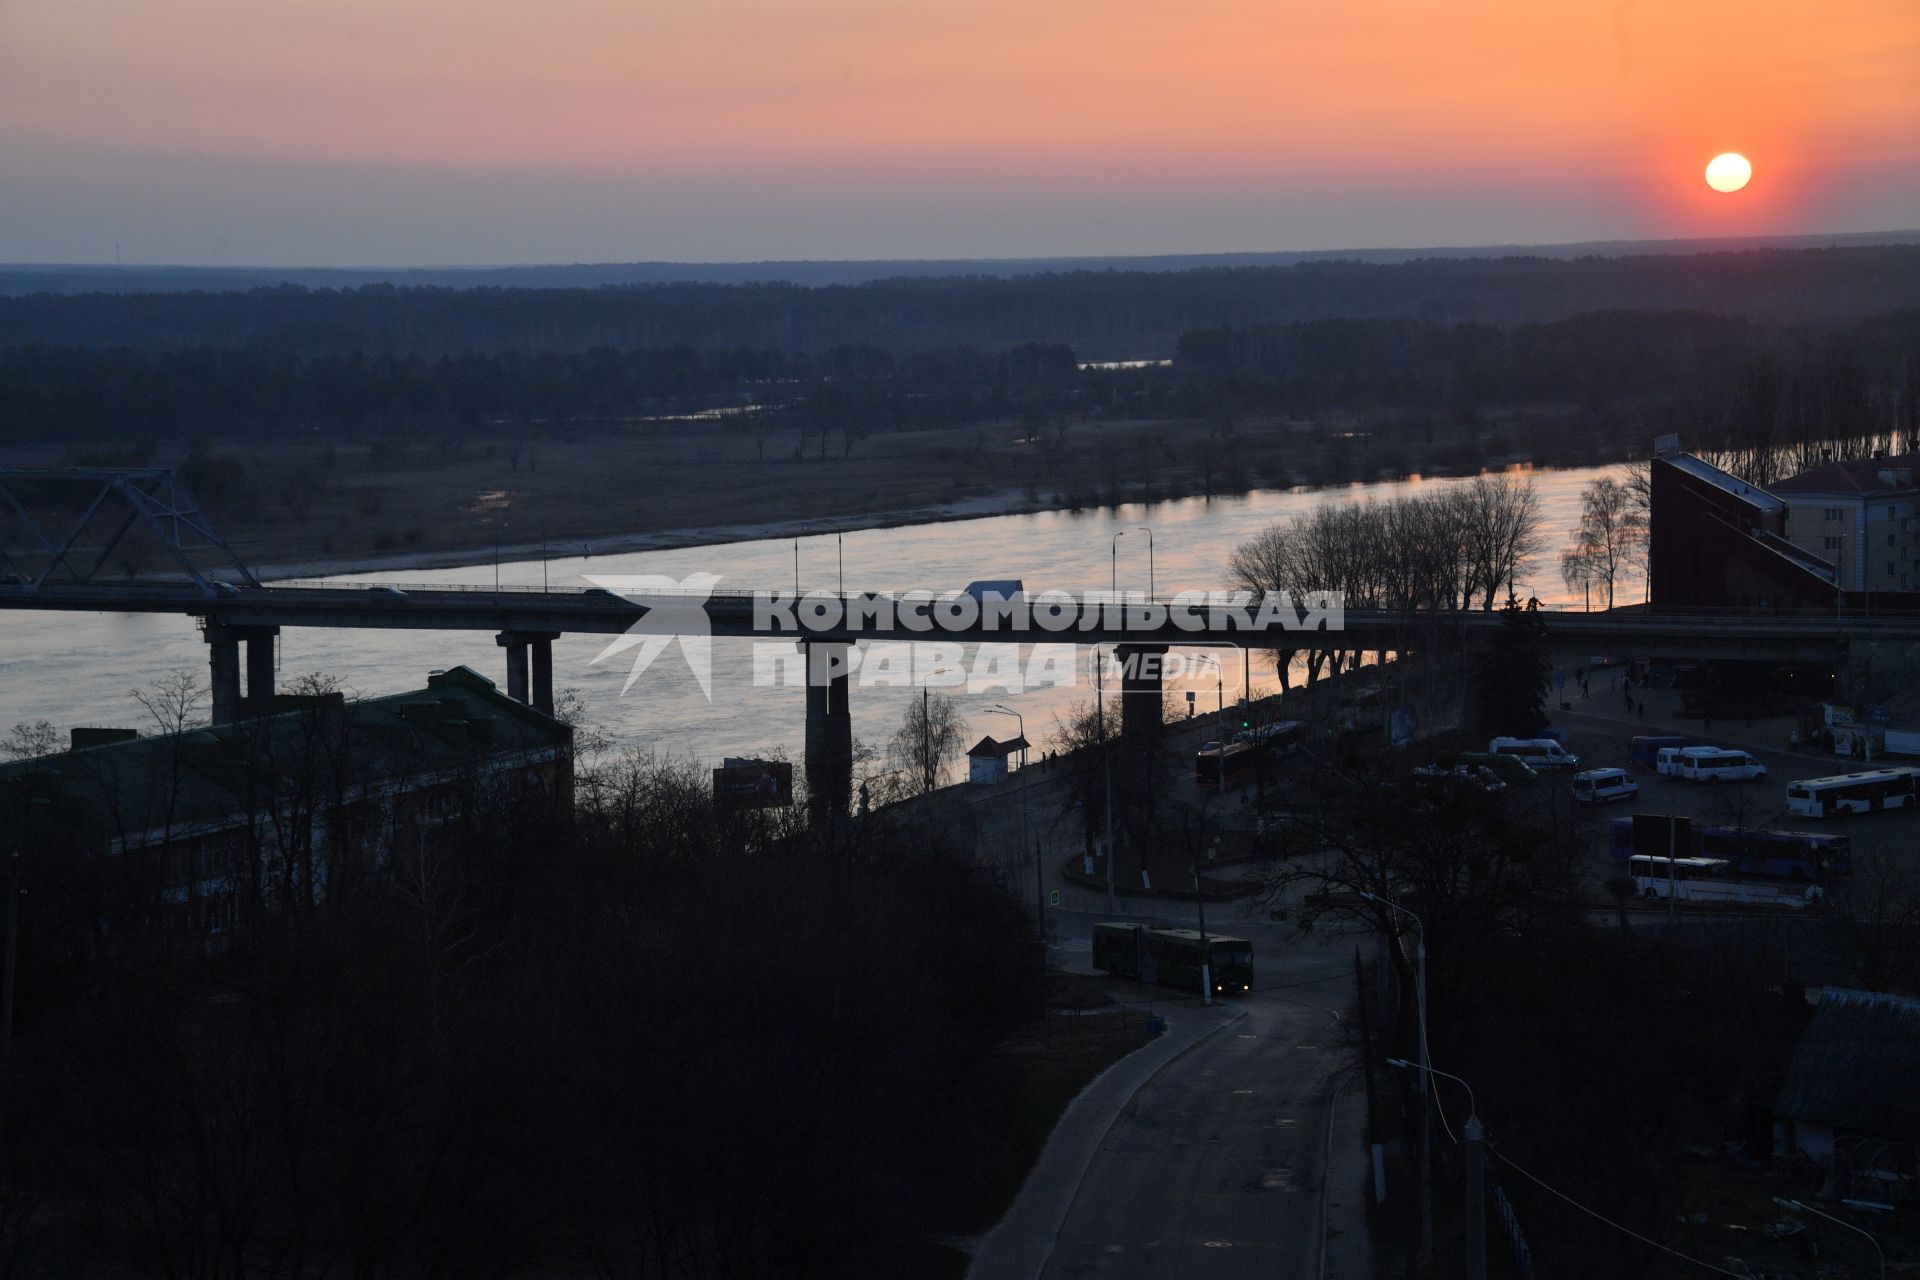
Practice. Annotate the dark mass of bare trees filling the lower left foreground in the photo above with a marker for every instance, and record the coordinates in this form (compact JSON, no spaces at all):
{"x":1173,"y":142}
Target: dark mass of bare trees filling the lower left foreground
{"x":658,"y":1043}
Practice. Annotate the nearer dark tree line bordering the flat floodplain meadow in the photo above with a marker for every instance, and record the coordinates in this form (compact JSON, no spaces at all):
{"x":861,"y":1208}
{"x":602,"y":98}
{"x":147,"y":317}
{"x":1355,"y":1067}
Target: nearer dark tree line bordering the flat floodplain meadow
{"x":1422,"y":391}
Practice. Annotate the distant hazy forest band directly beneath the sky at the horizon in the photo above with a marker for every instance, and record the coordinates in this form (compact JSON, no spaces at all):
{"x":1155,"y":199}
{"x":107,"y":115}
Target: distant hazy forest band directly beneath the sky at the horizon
{"x":1120,"y":314}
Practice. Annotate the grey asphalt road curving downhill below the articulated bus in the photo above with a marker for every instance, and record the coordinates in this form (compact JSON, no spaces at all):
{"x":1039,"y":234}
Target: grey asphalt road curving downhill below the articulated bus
{"x":1216,"y":1168}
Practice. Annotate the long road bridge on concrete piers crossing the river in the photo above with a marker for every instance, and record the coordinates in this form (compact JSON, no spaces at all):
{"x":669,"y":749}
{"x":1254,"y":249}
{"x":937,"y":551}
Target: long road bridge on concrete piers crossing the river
{"x":825,"y":625}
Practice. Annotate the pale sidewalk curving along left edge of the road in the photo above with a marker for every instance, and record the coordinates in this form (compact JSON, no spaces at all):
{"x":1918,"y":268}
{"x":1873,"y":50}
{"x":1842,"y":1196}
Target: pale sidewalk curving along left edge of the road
{"x":1024,"y":1241}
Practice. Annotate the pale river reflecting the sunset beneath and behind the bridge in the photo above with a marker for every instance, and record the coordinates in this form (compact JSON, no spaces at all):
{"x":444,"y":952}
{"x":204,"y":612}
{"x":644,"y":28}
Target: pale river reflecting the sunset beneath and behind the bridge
{"x":84,"y":669}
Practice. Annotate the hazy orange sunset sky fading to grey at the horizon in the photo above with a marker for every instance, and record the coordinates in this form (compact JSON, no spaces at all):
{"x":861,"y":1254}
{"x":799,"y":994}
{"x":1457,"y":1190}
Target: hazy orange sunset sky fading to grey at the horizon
{"x":1036,"y":128}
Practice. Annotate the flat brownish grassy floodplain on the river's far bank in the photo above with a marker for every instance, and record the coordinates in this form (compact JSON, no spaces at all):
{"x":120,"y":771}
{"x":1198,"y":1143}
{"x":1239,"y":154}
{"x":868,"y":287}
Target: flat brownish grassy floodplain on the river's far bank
{"x":448,"y":496}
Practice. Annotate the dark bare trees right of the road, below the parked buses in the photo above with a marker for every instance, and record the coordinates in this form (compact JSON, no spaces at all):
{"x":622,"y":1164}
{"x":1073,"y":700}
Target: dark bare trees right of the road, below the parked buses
{"x":1598,"y":1056}
